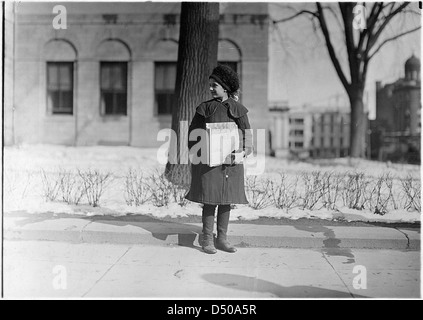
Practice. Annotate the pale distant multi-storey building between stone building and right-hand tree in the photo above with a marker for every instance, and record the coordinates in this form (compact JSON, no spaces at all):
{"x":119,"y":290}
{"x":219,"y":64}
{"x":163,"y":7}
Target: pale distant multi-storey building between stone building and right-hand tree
{"x":310,"y":132}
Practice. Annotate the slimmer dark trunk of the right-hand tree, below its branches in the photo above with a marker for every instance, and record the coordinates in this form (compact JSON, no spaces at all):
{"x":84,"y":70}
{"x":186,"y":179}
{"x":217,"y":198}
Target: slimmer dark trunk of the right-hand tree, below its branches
{"x":358,"y":123}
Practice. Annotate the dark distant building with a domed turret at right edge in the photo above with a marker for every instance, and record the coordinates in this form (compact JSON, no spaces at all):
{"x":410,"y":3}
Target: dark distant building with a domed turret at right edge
{"x":396,"y":131}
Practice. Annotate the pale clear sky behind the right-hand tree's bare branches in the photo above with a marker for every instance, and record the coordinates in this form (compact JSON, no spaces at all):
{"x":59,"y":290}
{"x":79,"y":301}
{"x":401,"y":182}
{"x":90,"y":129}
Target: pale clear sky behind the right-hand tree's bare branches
{"x":301,"y":72}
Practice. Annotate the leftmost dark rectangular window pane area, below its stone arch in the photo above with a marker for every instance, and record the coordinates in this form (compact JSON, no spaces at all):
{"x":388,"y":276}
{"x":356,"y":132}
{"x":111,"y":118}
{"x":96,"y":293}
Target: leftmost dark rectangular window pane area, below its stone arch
{"x":60,"y":87}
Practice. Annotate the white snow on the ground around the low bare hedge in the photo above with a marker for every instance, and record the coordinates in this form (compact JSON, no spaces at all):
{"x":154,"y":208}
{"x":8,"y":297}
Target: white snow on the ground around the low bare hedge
{"x":23,"y":186}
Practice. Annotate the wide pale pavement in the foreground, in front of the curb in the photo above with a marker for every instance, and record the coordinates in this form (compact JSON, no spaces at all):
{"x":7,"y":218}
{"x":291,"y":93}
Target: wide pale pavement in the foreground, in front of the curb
{"x":40,"y":269}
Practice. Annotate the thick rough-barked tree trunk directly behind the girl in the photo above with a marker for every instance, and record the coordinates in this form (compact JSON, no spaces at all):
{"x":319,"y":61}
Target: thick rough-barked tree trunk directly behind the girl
{"x":197,"y":56}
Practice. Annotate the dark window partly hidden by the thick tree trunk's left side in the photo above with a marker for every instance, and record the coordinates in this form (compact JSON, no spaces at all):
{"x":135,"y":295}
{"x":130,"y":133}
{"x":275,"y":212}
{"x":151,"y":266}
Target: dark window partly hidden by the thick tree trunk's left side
{"x":164,"y":86}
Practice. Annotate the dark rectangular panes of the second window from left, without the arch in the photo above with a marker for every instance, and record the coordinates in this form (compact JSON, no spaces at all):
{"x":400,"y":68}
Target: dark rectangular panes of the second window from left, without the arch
{"x":114,"y":91}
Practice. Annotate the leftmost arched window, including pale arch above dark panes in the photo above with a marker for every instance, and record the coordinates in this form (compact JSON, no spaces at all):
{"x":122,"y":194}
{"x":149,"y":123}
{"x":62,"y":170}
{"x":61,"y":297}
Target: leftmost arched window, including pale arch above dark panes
{"x":60,"y":56}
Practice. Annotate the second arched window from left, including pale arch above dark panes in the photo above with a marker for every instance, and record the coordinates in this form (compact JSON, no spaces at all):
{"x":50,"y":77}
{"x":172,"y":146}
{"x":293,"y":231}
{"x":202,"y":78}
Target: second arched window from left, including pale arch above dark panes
{"x":114,"y":56}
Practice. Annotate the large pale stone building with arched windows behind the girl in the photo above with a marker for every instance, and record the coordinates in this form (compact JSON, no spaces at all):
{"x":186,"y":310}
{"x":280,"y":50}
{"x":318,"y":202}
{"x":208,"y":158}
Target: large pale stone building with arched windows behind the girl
{"x":108,"y":76}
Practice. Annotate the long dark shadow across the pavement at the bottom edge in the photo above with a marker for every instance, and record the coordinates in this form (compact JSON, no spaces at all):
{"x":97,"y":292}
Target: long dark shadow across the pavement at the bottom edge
{"x":252,"y":284}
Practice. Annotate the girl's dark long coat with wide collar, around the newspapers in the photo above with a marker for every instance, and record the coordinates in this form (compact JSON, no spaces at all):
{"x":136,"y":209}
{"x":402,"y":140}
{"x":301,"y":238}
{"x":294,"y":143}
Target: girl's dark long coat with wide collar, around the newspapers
{"x":223,"y":184}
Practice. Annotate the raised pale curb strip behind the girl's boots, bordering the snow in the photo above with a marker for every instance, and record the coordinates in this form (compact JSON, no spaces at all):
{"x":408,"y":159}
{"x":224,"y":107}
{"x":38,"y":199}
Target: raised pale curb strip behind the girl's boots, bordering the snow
{"x":138,"y":229}
